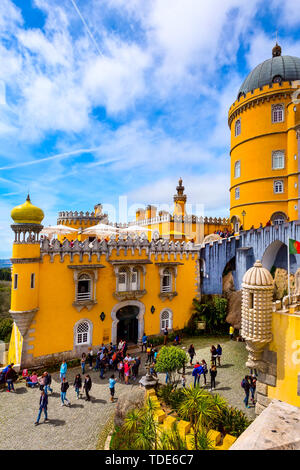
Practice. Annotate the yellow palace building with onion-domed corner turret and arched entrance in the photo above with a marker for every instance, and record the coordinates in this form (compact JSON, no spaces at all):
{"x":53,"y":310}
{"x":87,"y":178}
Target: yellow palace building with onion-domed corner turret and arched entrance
{"x":68,"y":296}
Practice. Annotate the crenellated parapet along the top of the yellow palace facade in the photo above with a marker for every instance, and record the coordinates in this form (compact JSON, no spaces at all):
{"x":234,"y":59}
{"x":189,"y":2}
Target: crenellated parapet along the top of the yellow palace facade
{"x":129,"y":245}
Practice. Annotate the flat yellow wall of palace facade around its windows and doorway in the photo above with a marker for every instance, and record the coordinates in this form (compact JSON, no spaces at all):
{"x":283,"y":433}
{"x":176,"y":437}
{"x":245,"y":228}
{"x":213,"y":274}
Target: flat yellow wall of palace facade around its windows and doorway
{"x":56,"y":317}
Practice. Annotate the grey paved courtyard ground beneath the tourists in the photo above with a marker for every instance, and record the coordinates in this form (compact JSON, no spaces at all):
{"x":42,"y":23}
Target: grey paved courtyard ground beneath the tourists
{"x":79,"y":426}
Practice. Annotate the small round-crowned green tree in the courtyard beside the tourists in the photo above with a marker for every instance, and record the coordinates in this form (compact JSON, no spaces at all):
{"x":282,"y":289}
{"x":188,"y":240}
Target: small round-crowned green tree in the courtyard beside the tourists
{"x":170,"y":360}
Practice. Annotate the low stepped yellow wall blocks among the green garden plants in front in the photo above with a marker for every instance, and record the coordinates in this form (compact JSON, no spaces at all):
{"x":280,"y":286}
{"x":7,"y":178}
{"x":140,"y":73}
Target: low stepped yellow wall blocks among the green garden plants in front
{"x":184,"y":427}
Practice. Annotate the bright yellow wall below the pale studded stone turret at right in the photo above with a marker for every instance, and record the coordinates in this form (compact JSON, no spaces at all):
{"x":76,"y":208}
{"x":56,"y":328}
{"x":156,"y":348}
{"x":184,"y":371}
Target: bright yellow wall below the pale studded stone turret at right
{"x":286,"y":343}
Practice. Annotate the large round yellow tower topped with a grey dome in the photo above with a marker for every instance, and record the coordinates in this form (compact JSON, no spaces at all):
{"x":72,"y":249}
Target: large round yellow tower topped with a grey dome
{"x":265,"y":167}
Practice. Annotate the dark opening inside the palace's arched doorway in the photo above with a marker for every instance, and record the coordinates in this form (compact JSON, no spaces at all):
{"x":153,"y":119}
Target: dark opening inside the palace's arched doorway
{"x":127,"y":328}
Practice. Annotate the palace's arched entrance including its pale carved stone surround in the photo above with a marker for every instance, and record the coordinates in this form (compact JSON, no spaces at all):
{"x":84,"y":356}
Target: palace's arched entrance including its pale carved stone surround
{"x":131,"y":320}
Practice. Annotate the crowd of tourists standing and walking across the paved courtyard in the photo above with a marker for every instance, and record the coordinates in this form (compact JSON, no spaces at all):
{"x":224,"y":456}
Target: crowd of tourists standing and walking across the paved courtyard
{"x":116,"y":359}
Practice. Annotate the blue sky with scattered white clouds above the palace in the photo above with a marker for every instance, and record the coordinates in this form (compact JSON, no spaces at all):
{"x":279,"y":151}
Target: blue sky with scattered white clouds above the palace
{"x":107,"y":98}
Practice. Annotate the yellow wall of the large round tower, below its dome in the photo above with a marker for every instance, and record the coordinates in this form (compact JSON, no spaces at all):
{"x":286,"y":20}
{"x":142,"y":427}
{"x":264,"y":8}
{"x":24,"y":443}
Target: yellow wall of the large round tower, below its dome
{"x":253,"y":148}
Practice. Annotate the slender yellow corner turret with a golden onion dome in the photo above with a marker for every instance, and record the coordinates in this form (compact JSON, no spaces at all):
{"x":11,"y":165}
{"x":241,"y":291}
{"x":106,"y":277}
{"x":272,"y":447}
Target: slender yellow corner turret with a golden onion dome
{"x":25,"y":277}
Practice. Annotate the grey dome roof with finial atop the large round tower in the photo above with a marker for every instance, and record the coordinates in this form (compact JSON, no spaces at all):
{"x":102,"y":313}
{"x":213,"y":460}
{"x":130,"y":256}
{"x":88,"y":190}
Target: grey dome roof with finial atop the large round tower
{"x":276,"y":70}
